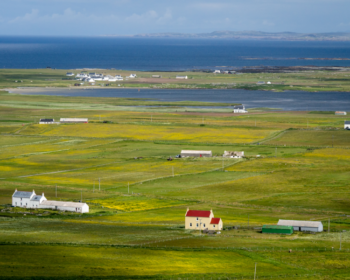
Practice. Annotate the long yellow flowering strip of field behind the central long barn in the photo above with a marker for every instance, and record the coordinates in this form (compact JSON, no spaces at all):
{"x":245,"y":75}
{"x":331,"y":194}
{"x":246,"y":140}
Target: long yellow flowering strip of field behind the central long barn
{"x":156,"y":132}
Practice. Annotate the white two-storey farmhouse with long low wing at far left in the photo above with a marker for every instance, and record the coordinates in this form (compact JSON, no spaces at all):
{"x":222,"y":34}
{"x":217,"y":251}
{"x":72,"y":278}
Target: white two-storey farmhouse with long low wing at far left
{"x":32,"y":200}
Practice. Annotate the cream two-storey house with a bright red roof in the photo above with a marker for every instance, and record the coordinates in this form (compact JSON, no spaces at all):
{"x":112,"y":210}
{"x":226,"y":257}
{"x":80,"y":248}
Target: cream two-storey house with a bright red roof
{"x":200,"y":220}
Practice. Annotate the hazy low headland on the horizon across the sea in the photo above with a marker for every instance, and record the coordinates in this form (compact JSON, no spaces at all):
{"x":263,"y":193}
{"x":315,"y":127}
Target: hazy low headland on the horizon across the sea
{"x":250,"y":35}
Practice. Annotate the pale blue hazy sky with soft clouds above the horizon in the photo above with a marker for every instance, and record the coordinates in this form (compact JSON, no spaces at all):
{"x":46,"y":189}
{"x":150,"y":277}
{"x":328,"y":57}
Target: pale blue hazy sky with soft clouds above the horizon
{"x":129,"y":17}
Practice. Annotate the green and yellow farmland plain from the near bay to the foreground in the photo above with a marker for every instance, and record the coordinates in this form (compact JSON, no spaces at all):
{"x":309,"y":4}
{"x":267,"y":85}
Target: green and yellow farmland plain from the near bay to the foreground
{"x":296,"y":166}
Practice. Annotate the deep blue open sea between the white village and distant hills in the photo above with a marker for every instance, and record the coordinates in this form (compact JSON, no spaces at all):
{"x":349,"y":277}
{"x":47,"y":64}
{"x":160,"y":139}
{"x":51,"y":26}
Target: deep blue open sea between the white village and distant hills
{"x":163,"y":54}
